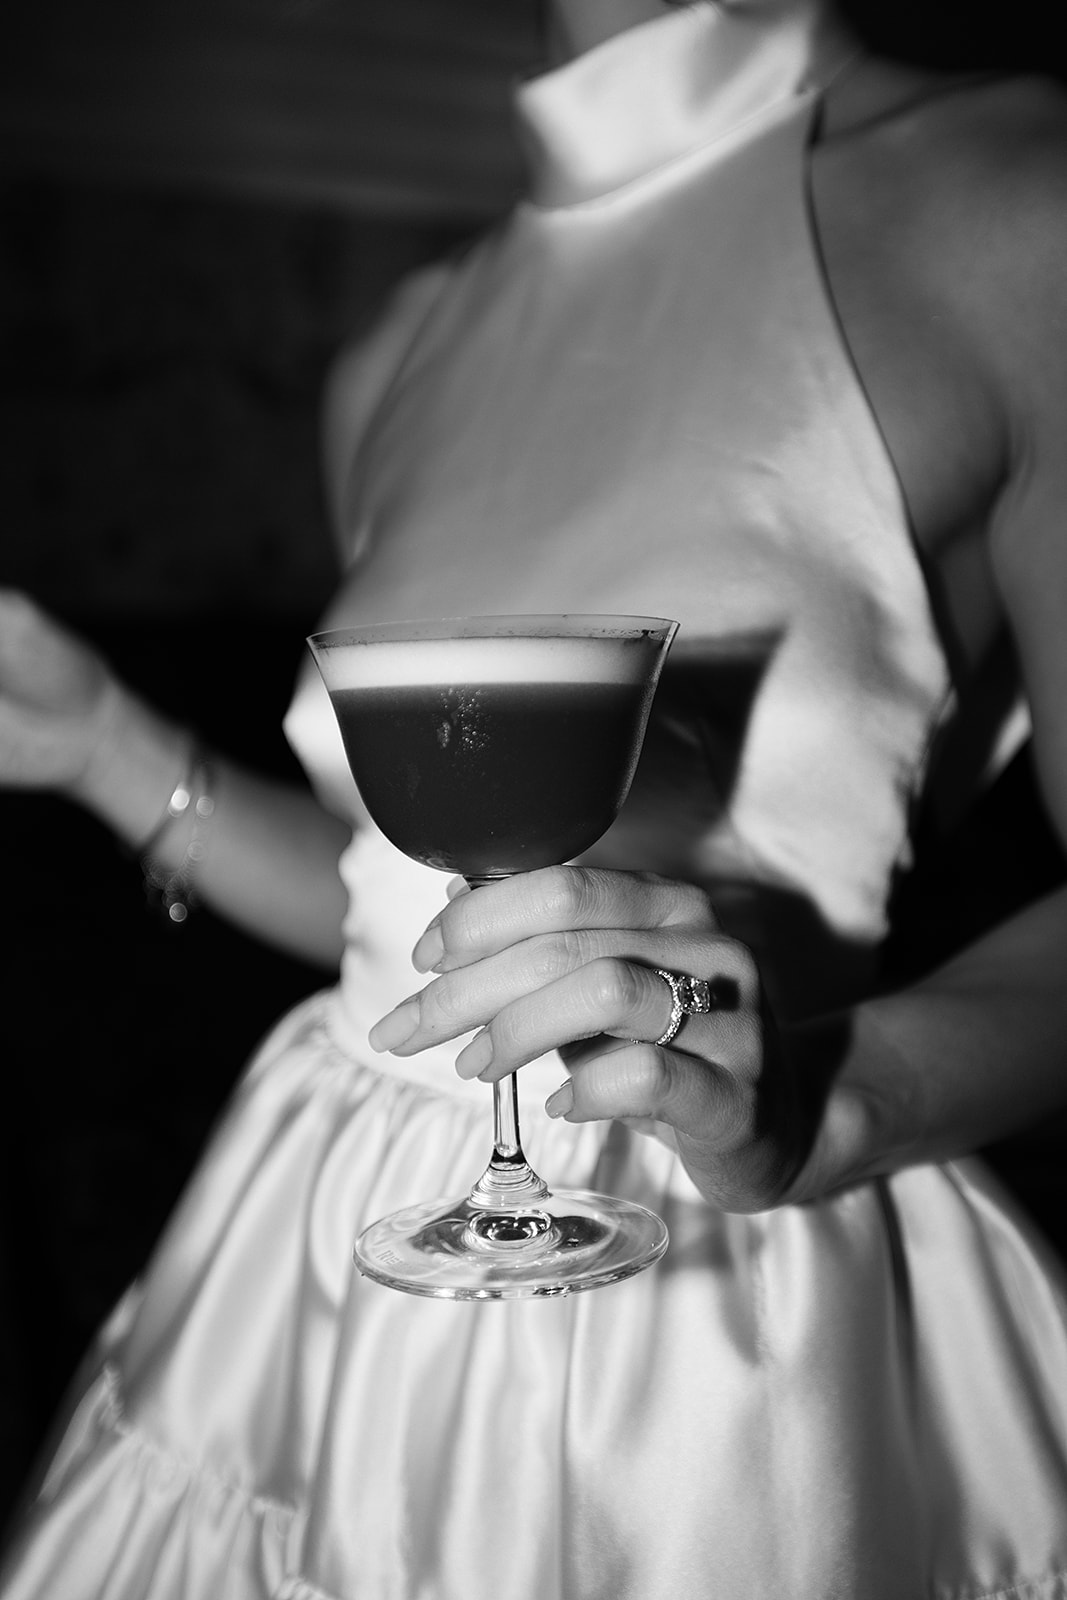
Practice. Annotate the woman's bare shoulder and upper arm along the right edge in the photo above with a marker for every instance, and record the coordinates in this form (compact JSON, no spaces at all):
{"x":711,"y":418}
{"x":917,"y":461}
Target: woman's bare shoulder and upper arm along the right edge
{"x":945,"y":214}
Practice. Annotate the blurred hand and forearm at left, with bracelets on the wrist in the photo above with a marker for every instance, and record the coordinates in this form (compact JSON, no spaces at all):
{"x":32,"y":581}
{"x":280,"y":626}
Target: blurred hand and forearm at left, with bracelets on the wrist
{"x":68,"y":724}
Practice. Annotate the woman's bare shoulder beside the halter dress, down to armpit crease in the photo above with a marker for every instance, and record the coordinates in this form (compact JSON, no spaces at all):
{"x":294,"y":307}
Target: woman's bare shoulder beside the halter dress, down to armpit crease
{"x":941,"y":207}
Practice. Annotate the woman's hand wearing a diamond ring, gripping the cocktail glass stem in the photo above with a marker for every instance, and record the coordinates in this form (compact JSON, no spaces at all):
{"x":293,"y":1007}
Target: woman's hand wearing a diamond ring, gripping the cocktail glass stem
{"x":565,"y":959}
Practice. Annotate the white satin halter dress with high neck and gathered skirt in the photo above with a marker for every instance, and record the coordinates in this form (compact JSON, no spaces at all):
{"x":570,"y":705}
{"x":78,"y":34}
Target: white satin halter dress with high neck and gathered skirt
{"x":633,"y":398}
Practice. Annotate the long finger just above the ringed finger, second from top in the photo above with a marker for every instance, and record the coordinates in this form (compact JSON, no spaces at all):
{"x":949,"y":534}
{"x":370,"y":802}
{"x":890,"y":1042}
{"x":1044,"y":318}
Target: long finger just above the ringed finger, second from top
{"x":471,"y":996}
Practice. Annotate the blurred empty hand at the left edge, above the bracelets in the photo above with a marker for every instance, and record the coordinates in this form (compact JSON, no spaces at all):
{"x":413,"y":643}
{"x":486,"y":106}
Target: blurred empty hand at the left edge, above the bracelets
{"x":58,"y":700}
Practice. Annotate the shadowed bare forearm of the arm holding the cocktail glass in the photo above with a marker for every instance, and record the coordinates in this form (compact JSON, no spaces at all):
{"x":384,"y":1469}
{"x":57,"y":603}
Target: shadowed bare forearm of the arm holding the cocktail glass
{"x":957,"y":1062}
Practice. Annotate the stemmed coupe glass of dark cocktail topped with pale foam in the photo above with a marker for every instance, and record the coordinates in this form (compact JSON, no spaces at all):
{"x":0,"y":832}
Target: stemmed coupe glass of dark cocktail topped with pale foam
{"x":490,"y":746}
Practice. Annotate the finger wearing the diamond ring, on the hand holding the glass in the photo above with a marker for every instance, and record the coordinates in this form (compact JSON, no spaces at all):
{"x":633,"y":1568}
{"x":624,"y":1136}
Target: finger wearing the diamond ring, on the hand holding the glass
{"x":609,"y":996}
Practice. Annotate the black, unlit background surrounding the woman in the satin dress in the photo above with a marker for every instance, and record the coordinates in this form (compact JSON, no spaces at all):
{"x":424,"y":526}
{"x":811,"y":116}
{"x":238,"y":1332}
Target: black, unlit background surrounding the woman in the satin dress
{"x":199,"y":202}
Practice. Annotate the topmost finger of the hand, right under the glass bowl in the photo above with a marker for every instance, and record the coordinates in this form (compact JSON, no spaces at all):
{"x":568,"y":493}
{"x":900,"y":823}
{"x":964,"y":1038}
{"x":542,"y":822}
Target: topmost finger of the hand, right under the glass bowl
{"x":554,"y":900}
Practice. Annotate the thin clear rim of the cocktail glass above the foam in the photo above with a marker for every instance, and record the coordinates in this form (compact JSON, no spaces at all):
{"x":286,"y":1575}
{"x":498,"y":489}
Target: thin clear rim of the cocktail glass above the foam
{"x":535,"y":625}
